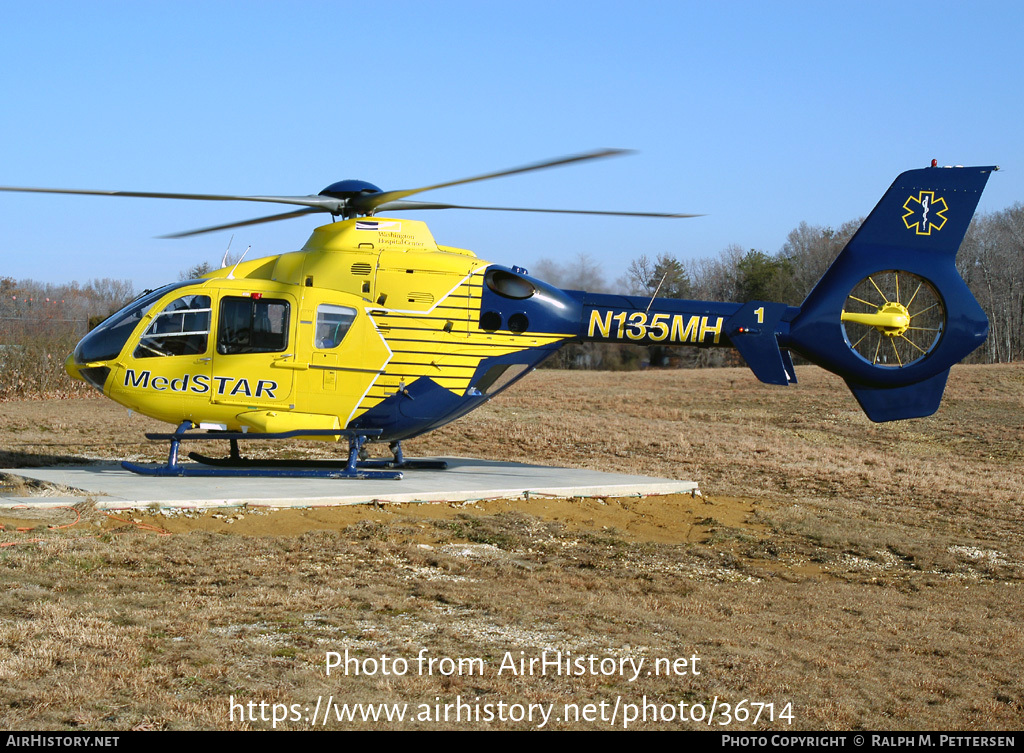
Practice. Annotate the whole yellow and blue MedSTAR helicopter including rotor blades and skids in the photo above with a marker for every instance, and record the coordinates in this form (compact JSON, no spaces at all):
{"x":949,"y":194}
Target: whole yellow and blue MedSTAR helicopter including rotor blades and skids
{"x":373,"y":332}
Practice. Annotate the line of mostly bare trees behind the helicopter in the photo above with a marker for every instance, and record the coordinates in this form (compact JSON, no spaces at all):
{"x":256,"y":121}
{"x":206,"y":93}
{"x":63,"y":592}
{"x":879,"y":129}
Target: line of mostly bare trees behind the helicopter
{"x":40,"y":323}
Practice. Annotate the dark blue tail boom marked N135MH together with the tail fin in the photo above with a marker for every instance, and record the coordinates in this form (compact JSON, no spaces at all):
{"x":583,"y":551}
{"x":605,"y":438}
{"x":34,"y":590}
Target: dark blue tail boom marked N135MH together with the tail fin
{"x":891,"y":316}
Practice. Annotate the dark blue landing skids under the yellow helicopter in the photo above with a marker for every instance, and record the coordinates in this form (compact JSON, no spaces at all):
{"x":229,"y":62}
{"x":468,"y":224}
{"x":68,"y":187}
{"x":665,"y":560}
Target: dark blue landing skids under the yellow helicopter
{"x":238,"y":467}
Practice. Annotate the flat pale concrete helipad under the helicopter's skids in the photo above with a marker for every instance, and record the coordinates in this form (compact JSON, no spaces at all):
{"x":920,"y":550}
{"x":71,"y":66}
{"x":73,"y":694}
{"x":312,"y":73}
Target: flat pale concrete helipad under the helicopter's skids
{"x":466,"y":480}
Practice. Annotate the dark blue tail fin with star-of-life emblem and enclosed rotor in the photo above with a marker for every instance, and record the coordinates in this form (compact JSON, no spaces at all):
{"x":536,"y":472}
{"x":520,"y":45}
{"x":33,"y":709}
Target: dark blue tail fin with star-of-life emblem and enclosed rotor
{"x":892,"y":314}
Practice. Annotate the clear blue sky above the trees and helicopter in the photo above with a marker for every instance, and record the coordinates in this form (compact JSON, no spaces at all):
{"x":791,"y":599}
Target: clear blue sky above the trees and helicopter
{"x":759,"y":115}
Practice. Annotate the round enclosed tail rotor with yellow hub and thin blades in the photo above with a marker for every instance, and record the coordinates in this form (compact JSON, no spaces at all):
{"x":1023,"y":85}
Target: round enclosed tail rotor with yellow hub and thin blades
{"x":893,"y":319}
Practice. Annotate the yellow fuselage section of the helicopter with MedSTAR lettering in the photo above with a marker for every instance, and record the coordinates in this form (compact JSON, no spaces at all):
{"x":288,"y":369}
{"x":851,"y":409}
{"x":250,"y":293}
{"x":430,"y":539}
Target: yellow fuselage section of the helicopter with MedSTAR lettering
{"x":410,"y":311}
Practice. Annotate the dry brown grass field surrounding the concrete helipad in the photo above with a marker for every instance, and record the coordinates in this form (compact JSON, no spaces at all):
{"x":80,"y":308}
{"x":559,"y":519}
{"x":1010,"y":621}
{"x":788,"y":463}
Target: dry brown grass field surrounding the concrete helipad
{"x":851,"y":575}
